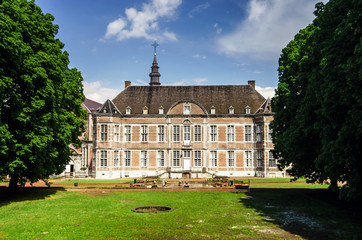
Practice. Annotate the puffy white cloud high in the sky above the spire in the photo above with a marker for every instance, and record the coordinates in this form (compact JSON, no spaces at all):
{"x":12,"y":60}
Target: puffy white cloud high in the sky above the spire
{"x":144,"y":23}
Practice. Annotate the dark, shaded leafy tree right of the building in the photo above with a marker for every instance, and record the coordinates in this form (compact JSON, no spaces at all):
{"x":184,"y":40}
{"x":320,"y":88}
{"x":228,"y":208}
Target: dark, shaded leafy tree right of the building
{"x":317,"y":127}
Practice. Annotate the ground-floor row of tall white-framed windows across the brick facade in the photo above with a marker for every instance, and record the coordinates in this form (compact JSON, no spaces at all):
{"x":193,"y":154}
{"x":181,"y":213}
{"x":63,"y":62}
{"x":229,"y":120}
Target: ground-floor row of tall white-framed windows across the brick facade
{"x":177,"y":157}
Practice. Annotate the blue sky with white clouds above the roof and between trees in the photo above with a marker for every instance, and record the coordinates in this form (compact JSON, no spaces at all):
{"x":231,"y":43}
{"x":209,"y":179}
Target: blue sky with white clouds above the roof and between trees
{"x":210,"y":42}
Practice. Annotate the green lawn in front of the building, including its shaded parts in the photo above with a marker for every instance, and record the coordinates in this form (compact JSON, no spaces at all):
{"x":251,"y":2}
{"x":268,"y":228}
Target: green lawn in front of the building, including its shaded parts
{"x":106,"y":214}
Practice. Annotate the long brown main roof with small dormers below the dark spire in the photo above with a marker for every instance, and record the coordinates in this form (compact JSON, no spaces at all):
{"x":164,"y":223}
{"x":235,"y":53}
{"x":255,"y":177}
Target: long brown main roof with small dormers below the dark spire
{"x":219,"y":96}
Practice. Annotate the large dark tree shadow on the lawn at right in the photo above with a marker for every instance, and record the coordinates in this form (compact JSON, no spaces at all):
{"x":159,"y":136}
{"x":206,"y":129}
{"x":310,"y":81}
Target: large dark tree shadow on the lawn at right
{"x":309,"y":213}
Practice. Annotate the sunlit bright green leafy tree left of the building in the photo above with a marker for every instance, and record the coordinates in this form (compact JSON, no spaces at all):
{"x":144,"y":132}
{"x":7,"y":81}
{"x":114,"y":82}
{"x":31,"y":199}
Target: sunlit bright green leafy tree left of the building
{"x":40,"y":97}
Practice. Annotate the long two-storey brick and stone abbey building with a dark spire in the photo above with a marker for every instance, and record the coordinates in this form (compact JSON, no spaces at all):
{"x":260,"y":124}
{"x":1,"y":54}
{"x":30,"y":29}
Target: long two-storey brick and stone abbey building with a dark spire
{"x":177,"y":132}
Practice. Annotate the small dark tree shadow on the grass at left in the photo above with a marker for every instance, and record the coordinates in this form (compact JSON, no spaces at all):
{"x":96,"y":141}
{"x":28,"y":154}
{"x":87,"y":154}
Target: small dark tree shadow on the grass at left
{"x":26,"y":194}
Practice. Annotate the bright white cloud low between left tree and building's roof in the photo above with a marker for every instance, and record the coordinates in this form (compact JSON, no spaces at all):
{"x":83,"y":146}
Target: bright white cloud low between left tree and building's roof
{"x":95,"y":91}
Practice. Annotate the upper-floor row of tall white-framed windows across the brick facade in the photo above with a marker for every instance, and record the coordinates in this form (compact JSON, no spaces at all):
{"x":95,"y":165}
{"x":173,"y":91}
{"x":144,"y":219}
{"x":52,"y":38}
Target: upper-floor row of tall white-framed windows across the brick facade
{"x":176,"y":136}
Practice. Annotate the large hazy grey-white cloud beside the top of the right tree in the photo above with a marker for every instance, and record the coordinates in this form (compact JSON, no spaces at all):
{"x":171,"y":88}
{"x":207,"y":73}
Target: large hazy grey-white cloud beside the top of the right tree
{"x":269,"y":26}
